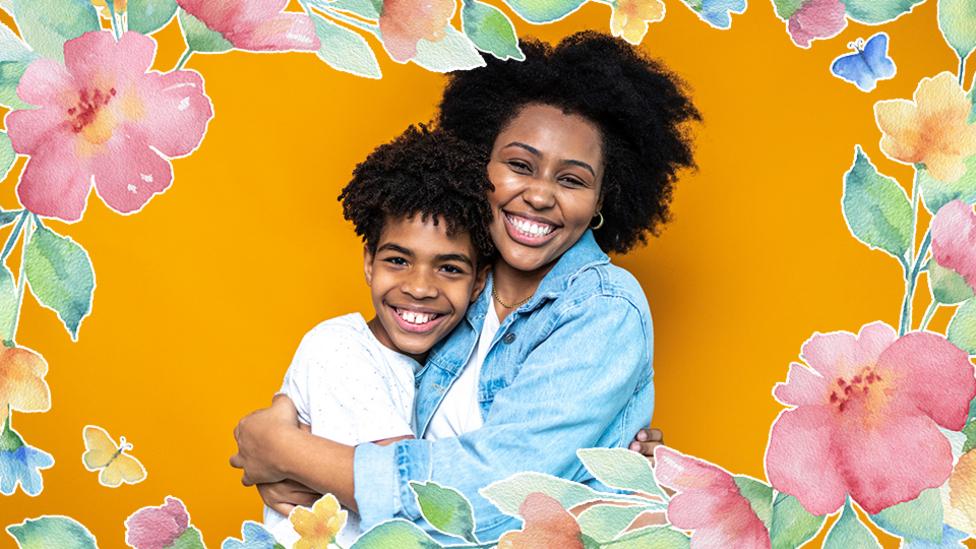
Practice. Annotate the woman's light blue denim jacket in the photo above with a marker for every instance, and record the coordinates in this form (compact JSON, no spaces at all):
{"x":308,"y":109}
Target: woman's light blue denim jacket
{"x":569,"y":369}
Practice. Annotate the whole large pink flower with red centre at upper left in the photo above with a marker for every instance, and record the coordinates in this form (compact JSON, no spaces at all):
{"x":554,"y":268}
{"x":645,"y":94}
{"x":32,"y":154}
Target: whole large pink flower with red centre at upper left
{"x":103,"y":116}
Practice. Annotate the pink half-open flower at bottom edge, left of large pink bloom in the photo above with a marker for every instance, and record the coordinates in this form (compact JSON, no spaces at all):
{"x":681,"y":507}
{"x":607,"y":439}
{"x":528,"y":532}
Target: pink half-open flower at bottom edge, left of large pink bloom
{"x":709,"y":502}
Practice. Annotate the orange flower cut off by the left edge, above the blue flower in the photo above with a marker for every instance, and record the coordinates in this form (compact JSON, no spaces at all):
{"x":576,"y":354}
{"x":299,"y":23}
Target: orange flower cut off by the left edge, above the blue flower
{"x":22,"y":384}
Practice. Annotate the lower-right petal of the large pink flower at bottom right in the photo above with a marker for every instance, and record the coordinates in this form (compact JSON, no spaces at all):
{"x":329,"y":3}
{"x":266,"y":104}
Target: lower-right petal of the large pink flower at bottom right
{"x":892,"y":460}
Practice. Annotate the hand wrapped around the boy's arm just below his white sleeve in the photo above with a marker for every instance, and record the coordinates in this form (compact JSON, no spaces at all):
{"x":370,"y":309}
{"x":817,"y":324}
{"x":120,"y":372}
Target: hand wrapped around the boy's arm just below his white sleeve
{"x":262,"y":440}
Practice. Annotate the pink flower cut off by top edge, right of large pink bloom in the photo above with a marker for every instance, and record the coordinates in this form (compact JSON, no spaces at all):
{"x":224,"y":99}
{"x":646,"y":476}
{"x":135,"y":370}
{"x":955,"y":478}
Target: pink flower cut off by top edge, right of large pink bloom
{"x":256,"y":25}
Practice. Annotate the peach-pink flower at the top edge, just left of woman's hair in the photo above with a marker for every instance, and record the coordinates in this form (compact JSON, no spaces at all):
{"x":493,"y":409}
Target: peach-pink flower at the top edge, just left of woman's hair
{"x":403,"y":23}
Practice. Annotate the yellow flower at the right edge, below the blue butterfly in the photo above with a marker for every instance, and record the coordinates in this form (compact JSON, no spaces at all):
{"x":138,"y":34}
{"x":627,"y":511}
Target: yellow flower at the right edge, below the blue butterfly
{"x":932,"y":130}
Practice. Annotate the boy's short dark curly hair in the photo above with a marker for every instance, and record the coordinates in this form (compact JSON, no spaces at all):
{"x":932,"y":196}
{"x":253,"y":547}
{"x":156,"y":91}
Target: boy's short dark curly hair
{"x":426,"y":172}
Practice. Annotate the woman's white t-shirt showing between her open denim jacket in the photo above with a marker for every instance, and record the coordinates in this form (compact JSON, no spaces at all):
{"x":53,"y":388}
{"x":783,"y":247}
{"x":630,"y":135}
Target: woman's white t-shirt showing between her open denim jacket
{"x":460,"y":411}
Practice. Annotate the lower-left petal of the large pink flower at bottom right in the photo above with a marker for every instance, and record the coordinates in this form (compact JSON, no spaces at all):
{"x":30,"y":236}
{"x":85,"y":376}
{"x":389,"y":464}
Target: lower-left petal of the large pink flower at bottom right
{"x":799,"y":459}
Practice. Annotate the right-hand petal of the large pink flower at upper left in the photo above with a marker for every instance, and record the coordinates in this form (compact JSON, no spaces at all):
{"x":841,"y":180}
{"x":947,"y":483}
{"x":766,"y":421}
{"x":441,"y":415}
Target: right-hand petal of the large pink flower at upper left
{"x":177,"y":112}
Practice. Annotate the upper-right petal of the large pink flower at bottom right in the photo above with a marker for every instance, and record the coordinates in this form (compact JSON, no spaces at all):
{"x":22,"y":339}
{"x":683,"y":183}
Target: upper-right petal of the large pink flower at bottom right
{"x":934,"y":374}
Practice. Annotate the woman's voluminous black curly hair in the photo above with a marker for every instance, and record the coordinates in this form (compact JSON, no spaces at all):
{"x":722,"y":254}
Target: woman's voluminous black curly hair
{"x":639,"y":106}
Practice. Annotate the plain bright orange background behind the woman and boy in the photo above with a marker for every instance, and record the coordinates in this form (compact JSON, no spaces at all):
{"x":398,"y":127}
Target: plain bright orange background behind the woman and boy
{"x":203,"y":296}
